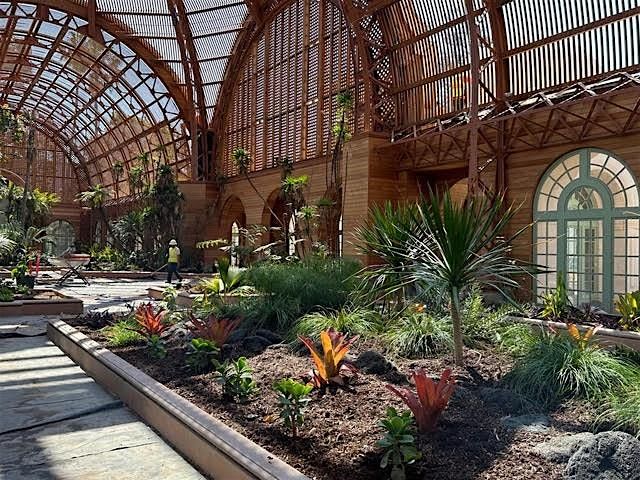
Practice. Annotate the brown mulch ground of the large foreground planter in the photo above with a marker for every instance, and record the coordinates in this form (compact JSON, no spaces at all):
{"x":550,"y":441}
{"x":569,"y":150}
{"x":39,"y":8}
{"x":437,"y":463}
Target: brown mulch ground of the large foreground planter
{"x":338,"y":440}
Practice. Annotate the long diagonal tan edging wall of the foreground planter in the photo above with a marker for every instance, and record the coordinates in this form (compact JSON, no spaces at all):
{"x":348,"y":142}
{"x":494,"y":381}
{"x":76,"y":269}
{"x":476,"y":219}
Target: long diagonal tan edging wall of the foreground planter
{"x":218,"y":450}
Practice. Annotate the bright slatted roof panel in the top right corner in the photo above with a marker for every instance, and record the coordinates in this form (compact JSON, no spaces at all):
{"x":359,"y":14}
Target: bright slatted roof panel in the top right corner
{"x":553,"y":44}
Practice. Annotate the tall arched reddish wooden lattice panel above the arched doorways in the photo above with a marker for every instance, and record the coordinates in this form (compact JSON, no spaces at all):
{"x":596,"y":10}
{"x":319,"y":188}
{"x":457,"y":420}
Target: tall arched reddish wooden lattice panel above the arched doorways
{"x":284,"y":103}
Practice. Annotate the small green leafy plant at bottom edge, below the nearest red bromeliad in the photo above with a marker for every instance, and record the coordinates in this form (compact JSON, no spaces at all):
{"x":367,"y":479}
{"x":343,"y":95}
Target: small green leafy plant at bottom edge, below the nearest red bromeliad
{"x":398,"y":443}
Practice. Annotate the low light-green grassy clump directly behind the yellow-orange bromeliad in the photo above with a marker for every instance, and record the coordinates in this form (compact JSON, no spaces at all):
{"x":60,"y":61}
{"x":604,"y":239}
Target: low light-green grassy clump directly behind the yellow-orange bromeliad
{"x":353,"y":321}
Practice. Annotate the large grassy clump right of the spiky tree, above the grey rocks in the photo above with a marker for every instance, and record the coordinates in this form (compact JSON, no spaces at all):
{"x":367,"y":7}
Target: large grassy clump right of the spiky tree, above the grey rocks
{"x":565,"y":365}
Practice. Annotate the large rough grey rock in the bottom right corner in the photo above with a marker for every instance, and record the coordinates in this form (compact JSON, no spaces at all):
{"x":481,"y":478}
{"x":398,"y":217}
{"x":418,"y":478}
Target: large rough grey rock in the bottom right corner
{"x":606,"y":456}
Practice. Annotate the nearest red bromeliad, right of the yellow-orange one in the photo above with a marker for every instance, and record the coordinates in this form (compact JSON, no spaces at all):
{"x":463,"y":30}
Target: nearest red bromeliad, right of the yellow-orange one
{"x":431,"y":399}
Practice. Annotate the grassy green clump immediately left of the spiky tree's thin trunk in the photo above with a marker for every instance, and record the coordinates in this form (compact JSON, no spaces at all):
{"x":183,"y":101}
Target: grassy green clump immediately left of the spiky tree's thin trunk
{"x":417,"y":334}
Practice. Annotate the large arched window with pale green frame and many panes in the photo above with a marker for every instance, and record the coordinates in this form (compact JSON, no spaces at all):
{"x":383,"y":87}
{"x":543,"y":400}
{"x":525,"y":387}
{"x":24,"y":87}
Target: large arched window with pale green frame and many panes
{"x":587,"y":213}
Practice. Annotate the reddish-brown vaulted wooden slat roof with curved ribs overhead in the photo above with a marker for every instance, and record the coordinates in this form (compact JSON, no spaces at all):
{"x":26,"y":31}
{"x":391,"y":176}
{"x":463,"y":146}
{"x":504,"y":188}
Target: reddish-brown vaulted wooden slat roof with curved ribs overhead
{"x":122,"y":82}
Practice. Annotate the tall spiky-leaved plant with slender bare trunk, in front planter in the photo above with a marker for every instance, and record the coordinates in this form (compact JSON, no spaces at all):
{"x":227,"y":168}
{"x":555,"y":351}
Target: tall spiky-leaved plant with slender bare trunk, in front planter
{"x":453,"y":246}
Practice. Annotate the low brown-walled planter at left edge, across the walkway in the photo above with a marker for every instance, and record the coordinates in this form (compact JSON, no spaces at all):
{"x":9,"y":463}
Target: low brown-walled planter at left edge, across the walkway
{"x":47,"y":302}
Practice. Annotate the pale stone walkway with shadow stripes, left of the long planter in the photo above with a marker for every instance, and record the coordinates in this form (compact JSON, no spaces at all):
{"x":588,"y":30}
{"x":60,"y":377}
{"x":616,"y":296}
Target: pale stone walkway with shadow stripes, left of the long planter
{"x":57,"y":423}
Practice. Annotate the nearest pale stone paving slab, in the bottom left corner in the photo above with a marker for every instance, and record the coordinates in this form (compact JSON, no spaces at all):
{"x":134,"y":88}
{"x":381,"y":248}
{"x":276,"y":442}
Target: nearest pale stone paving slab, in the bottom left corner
{"x":104,"y":445}
